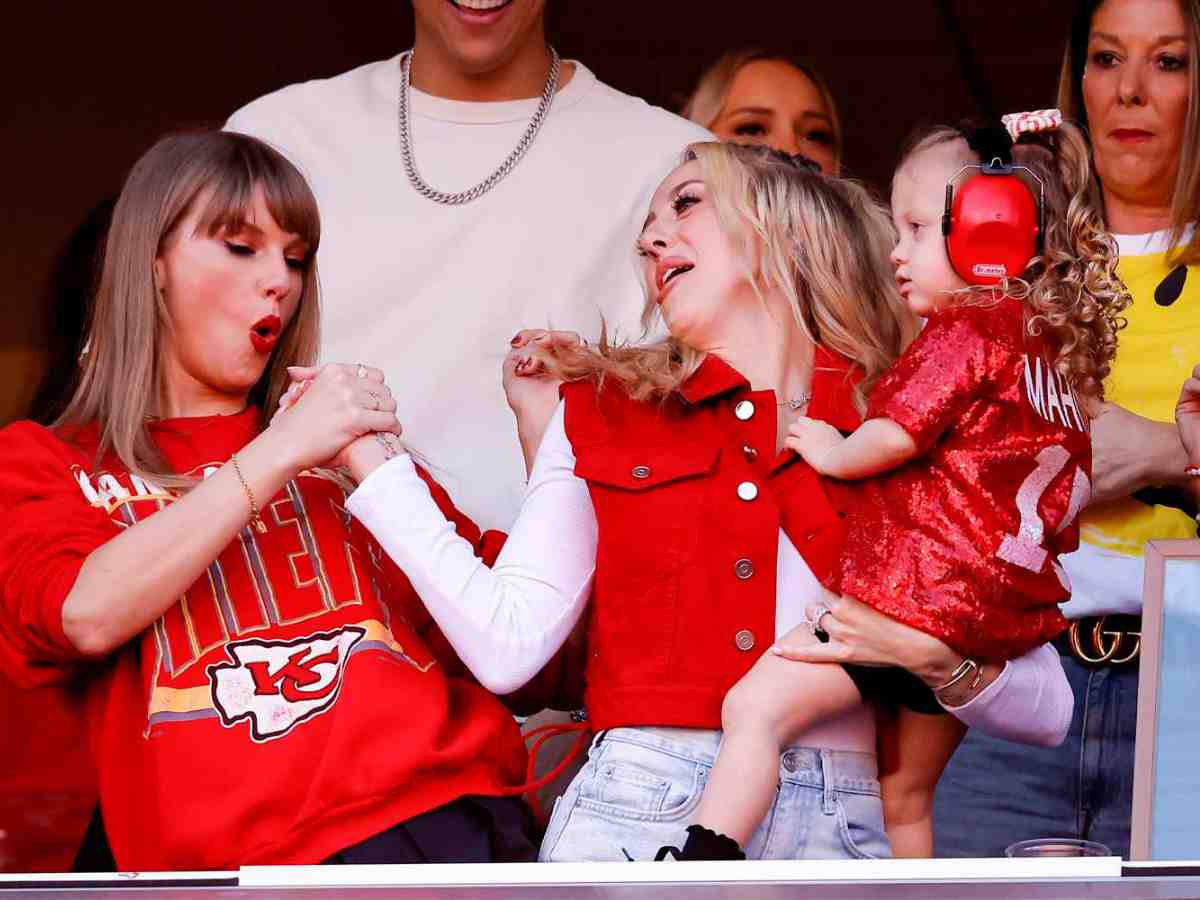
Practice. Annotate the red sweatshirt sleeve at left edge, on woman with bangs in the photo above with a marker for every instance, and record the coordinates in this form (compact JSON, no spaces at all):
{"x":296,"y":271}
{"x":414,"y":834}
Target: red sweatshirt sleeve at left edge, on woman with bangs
{"x":50,"y":530}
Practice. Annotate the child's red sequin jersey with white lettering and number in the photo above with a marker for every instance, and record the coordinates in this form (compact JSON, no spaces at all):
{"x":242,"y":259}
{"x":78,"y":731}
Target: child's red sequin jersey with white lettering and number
{"x":963,"y":542}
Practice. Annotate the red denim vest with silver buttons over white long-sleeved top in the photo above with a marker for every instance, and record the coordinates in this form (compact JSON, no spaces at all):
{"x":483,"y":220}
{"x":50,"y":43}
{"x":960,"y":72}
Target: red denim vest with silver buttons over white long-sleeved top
{"x":689,"y":499}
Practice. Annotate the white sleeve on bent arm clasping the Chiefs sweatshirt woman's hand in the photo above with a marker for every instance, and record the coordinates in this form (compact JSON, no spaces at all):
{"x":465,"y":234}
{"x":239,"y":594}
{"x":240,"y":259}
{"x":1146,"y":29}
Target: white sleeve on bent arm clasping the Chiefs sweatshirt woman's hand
{"x":506,"y":621}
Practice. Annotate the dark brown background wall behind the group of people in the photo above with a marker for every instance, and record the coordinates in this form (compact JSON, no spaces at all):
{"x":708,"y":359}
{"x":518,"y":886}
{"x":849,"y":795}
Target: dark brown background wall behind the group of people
{"x":87,"y":88}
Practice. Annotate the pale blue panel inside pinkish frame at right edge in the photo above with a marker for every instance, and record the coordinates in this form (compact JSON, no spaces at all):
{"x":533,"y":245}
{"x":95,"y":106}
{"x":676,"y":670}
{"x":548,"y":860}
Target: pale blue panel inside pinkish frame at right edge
{"x":1175,"y":832}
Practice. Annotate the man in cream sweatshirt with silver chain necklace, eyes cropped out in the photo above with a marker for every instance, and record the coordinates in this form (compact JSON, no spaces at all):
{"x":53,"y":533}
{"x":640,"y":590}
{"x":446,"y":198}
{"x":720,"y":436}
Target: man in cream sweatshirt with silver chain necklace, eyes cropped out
{"x":433,"y":292}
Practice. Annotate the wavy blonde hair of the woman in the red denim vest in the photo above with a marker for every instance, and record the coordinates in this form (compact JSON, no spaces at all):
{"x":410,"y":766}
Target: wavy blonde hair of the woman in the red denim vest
{"x":823,"y":242}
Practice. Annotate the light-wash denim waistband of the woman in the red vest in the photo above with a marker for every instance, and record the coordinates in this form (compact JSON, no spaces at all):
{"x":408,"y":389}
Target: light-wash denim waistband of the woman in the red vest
{"x":805,"y":765}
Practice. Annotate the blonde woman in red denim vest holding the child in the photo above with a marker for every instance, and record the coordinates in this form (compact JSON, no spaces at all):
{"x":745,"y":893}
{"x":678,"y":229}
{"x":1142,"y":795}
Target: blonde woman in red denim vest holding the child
{"x":659,"y":499}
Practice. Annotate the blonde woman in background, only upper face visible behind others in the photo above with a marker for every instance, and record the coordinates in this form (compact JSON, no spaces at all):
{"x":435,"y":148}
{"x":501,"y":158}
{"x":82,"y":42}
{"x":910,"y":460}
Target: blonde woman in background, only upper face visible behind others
{"x":753,"y":97}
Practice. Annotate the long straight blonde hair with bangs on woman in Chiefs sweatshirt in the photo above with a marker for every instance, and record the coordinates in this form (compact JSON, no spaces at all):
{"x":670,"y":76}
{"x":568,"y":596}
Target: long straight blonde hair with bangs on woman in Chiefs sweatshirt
{"x":121,"y":382}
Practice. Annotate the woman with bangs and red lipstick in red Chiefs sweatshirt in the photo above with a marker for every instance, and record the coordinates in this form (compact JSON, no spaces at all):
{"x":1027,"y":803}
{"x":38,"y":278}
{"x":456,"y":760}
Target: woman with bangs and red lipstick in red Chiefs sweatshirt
{"x":263,"y":685}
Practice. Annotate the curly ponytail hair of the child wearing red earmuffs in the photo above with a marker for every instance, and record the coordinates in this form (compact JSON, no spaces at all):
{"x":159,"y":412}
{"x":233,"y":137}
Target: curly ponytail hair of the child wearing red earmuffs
{"x":1072,"y":287}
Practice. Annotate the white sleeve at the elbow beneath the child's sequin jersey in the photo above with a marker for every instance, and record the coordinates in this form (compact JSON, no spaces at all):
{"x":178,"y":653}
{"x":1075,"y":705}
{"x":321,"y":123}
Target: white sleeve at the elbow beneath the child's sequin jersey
{"x":1030,"y":703}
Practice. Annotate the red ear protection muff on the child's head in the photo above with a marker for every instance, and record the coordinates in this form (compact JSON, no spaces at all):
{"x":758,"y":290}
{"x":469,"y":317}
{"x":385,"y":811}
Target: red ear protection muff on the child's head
{"x":993,"y":225}
